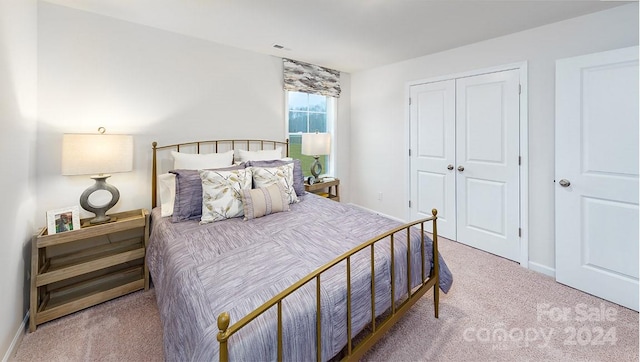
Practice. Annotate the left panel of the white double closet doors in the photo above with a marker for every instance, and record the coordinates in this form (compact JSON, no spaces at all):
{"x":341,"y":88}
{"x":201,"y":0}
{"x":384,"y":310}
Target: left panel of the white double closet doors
{"x":433,"y":154}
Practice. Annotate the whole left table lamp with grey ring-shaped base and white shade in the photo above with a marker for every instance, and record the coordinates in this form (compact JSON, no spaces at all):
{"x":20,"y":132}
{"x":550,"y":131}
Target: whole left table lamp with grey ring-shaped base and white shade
{"x":97,"y":155}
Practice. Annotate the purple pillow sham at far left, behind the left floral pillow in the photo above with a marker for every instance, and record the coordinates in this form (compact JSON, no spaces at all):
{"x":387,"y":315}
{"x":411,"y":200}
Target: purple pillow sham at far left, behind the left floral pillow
{"x":188,"y":201}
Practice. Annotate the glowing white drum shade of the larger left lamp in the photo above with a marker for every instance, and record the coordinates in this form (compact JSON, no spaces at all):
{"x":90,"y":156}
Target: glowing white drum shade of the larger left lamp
{"x":89,"y":154}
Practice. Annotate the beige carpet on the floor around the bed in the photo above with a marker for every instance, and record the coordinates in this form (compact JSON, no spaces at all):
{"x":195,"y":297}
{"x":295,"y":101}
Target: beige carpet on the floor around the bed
{"x":496,"y":311}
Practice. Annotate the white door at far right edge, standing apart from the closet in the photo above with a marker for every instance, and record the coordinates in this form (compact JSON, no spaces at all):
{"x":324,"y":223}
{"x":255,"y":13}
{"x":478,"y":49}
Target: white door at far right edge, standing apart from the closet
{"x":597,"y":174}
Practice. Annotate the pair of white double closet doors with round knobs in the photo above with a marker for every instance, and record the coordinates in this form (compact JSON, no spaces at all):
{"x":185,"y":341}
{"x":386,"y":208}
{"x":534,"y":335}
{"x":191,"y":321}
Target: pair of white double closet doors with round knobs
{"x":465,"y":159}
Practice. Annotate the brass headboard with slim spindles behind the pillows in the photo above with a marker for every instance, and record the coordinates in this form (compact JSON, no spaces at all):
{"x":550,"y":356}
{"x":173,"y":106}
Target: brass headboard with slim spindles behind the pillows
{"x":210,"y":147}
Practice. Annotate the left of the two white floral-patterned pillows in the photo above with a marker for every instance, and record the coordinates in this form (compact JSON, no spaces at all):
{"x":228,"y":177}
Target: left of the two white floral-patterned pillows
{"x":221,"y":197}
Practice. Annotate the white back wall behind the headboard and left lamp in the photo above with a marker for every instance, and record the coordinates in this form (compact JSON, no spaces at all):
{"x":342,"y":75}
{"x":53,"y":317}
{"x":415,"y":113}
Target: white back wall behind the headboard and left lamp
{"x":157,"y":85}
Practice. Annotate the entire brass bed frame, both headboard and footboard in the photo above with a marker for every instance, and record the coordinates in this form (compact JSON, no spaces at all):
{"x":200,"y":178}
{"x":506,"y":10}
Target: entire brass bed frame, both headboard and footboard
{"x":378,"y":325}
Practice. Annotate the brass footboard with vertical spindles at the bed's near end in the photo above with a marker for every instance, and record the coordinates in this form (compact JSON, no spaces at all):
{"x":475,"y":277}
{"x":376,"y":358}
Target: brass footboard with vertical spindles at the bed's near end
{"x":377,"y":330}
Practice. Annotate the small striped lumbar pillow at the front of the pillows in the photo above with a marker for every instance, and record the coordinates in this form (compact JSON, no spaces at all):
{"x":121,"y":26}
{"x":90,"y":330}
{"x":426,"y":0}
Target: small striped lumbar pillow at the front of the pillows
{"x":264,"y":201}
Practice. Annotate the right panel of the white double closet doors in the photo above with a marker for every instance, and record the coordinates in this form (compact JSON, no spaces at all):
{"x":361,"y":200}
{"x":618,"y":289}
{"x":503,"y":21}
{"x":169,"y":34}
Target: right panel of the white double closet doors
{"x":487,"y":156}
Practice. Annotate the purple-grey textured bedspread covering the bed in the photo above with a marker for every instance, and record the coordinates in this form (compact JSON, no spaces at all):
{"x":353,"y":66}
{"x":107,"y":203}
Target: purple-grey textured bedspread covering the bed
{"x":200,"y":271}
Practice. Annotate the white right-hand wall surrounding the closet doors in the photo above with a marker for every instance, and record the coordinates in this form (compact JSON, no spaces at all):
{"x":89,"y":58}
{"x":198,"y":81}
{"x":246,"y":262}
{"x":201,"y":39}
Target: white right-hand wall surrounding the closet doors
{"x":379,"y":103}
